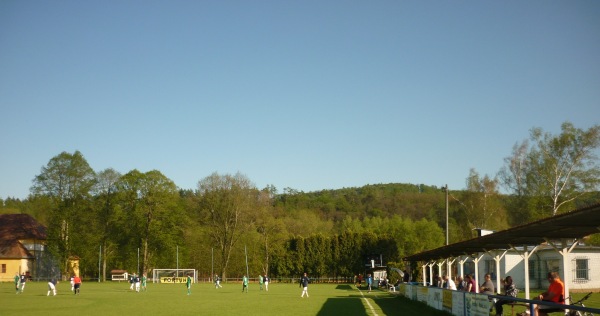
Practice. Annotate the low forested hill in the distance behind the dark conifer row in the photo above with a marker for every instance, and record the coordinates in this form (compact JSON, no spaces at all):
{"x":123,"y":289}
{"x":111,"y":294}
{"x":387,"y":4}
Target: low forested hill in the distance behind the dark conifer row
{"x":466,"y":210}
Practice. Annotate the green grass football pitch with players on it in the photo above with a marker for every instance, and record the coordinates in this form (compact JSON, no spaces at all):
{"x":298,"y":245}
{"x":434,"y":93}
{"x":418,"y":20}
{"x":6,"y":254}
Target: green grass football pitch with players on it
{"x":112,"y":298}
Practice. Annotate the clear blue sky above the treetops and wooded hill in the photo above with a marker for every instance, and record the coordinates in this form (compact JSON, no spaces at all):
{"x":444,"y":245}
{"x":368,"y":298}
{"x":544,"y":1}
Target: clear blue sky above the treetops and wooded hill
{"x":309,"y":95}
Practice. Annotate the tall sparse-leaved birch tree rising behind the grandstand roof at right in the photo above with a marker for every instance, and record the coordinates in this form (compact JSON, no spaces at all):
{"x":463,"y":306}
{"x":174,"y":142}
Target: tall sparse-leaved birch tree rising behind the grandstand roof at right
{"x":554,"y":171}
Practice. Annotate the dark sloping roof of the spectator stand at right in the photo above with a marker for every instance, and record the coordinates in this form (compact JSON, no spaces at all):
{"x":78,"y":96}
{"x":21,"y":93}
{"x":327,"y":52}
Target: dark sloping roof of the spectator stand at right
{"x":571,"y":225}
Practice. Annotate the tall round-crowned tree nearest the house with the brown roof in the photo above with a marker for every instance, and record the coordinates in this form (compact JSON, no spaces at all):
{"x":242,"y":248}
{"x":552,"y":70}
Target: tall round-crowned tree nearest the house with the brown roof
{"x":67,"y":179}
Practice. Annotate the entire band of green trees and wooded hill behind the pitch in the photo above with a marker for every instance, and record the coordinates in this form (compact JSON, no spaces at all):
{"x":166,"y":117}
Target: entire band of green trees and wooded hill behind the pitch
{"x":115,"y":216}
